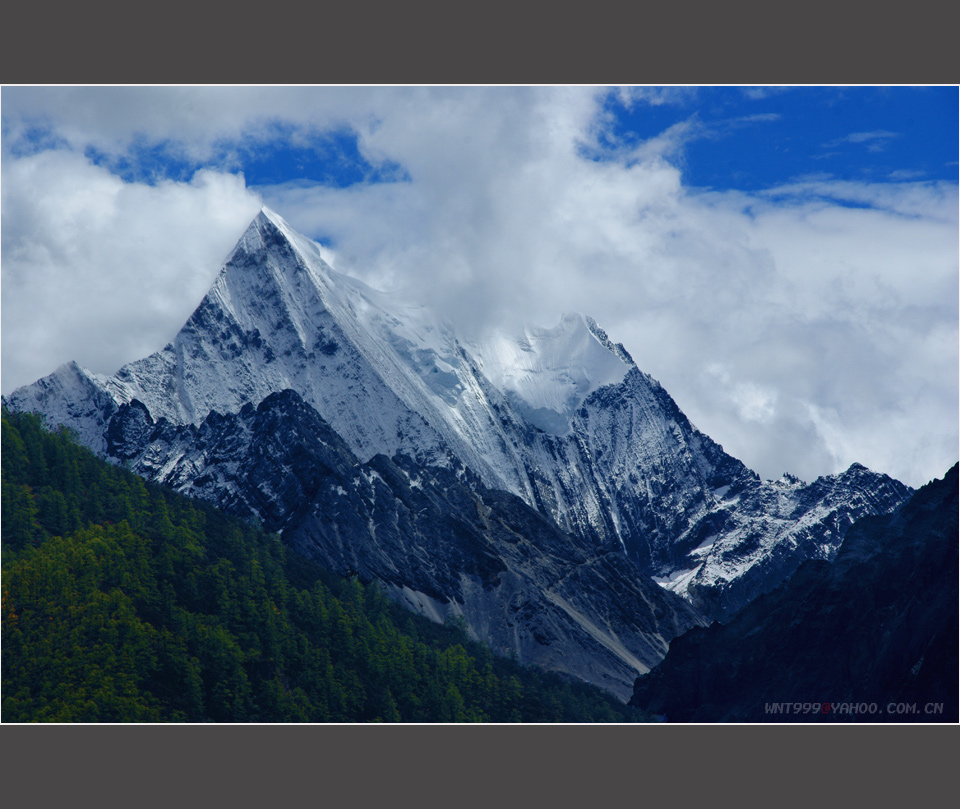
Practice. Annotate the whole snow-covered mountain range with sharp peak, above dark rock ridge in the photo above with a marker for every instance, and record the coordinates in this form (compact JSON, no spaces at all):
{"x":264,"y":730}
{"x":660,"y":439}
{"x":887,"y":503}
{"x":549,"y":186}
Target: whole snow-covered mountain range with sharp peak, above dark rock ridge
{"x":561,"y":418}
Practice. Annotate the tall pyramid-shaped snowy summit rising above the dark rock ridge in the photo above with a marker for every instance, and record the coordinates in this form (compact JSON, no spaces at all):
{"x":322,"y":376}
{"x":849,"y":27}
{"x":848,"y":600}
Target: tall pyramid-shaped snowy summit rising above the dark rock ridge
{"x":278,"y":317}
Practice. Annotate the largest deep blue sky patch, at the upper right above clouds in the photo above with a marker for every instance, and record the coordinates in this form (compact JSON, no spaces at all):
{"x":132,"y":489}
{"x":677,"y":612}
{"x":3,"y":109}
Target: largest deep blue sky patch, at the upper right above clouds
{"x":753,"y":139}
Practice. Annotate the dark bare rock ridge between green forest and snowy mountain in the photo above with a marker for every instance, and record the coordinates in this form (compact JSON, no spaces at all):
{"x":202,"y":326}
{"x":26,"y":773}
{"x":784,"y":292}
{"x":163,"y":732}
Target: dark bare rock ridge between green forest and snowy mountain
{"x":436,"y":537}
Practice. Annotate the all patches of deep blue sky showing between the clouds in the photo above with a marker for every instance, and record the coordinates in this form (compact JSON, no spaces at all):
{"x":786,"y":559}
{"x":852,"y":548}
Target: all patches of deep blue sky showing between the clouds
{"x":748,"y":139}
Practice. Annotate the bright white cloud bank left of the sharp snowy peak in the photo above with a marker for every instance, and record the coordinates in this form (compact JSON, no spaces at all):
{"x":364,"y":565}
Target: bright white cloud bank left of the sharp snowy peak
{"x":102,"y":271}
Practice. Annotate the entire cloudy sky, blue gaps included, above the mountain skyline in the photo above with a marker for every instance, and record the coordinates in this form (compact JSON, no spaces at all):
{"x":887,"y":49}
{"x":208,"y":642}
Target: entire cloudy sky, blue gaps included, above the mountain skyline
{"x":783,"y":260}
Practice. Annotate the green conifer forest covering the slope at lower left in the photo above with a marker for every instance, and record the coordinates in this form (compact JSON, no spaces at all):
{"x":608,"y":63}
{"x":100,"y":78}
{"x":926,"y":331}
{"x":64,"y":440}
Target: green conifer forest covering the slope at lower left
{"x":126,"y":602}
